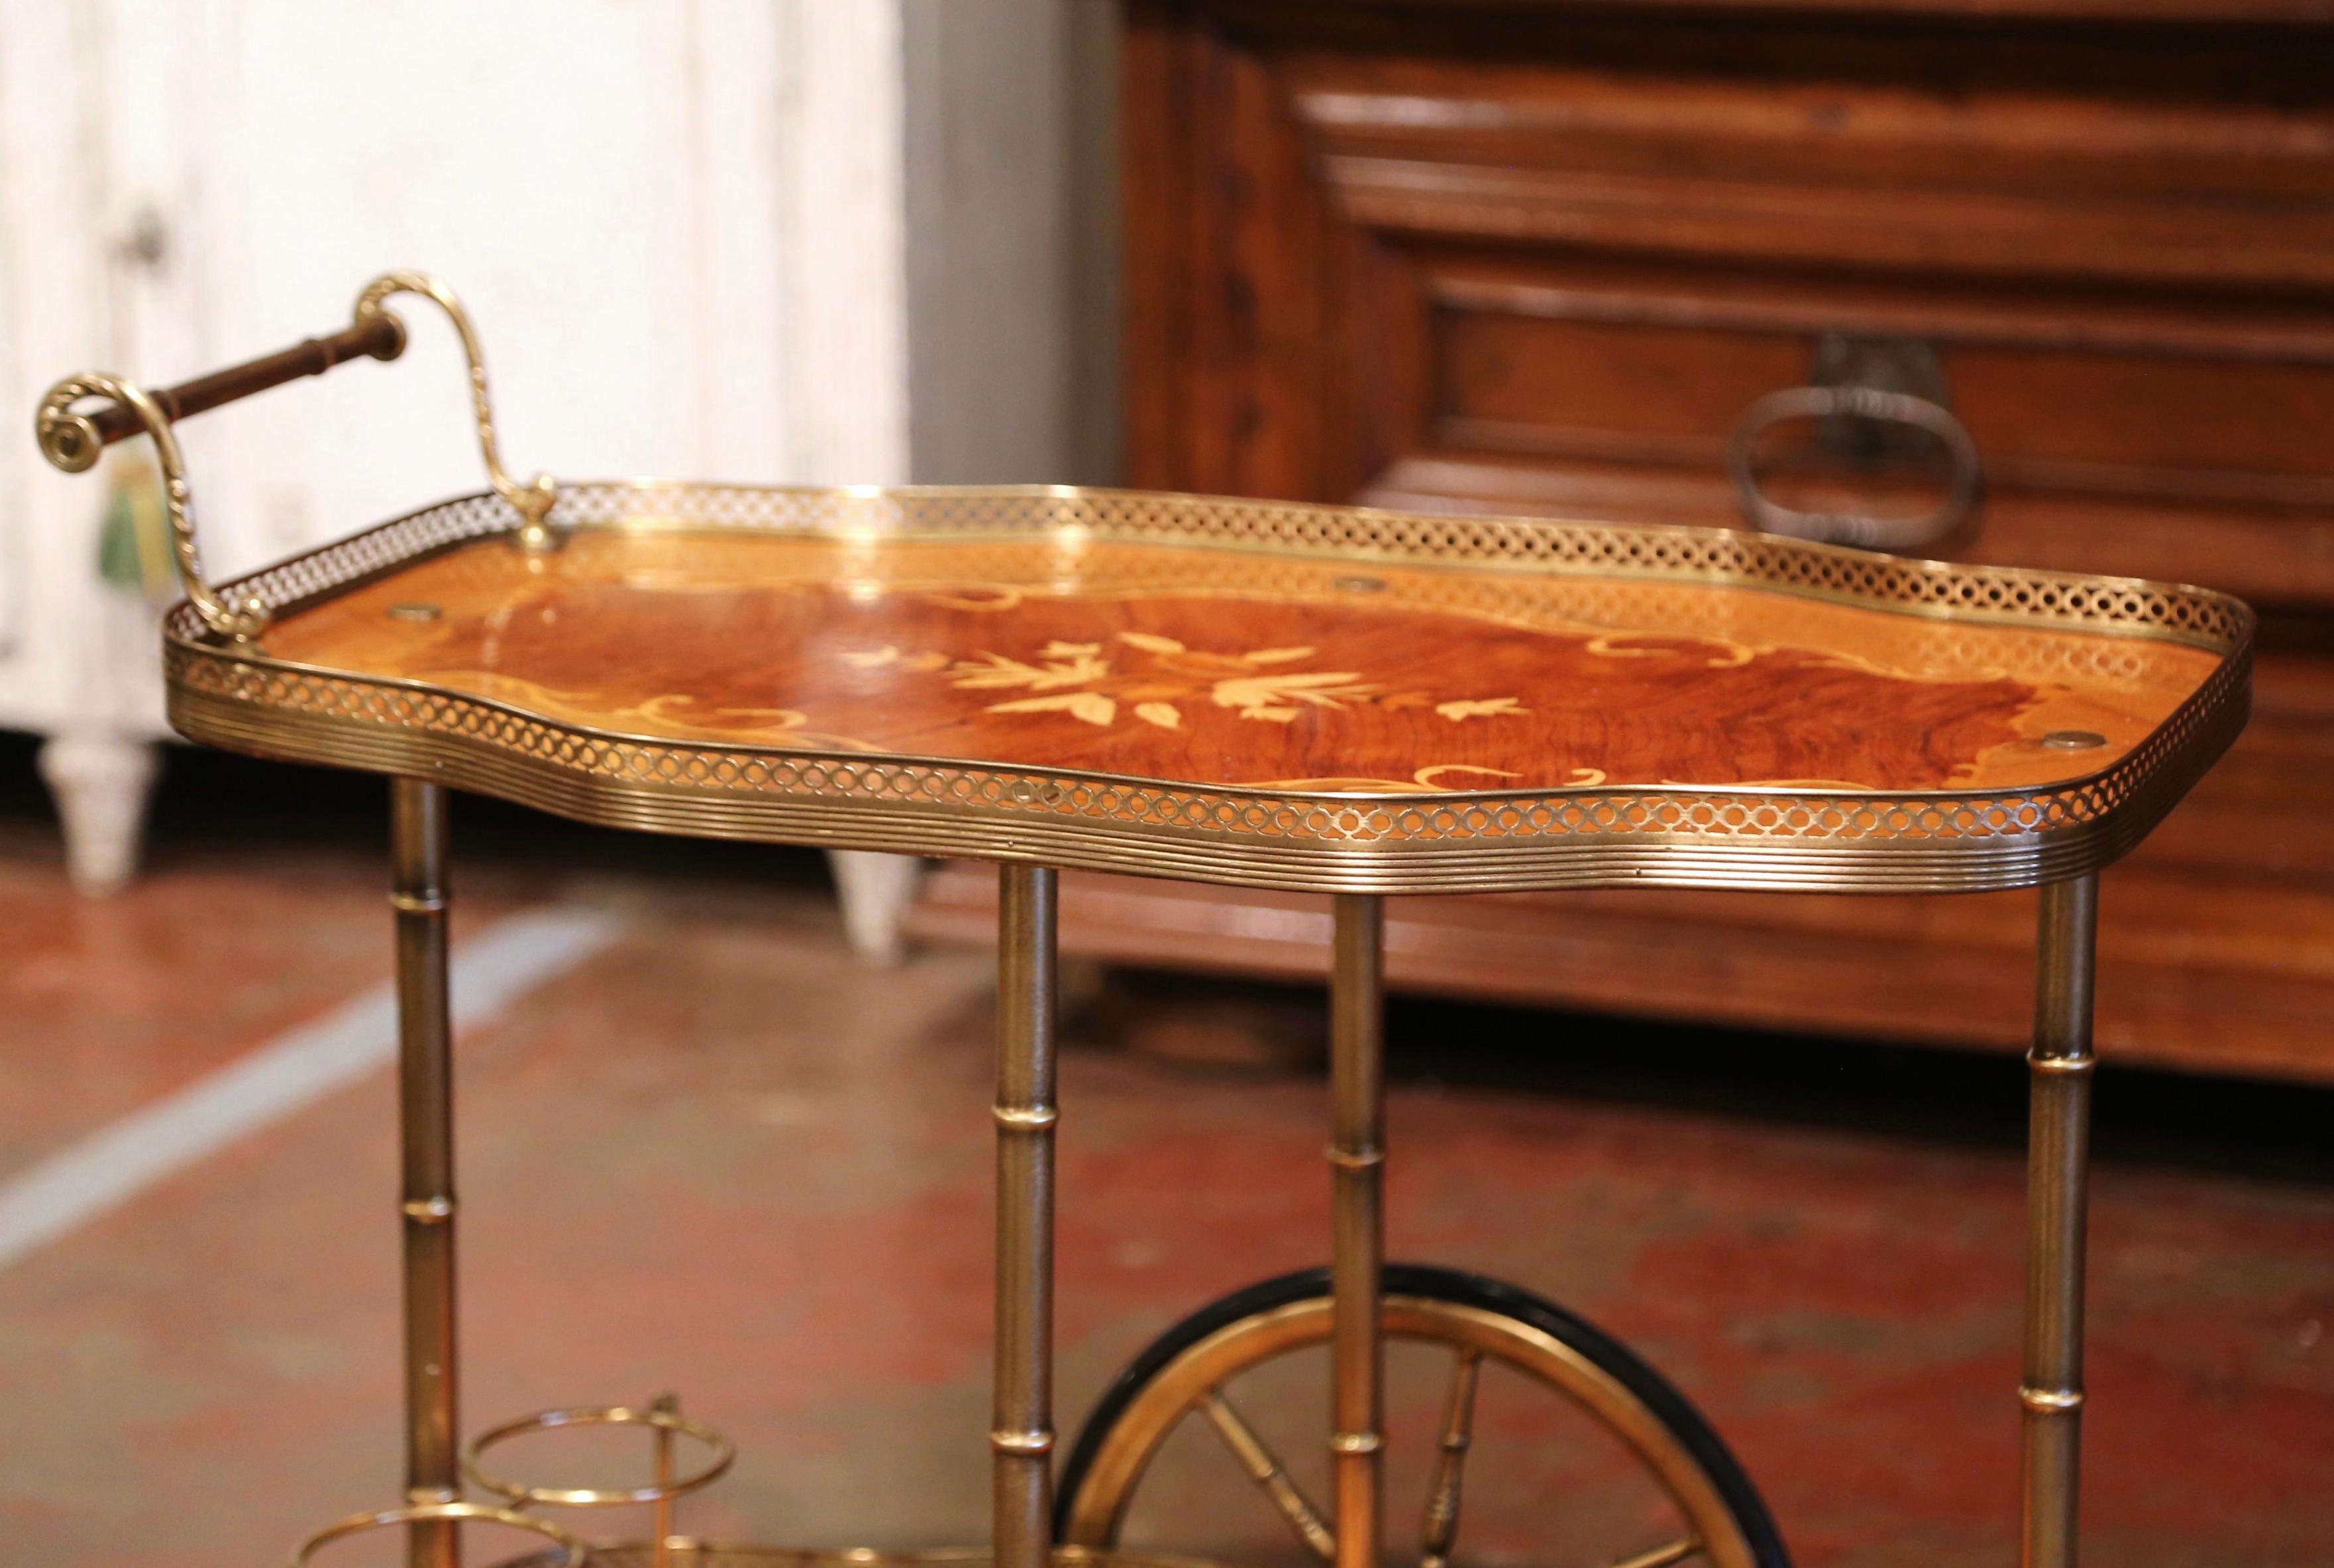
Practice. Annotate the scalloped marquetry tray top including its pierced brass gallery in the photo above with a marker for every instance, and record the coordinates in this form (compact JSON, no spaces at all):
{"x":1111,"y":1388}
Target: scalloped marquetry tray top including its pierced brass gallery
{"x":1243,"y":692}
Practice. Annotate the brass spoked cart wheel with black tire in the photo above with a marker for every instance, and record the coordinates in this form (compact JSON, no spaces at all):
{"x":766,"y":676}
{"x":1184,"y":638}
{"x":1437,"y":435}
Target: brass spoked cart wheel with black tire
{"x":1703,"y":1506}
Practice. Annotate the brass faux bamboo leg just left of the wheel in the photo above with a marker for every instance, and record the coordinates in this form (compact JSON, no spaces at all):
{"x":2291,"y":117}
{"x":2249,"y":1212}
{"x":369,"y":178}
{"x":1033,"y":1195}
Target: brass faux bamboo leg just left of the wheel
{"x":1021,"y":1429}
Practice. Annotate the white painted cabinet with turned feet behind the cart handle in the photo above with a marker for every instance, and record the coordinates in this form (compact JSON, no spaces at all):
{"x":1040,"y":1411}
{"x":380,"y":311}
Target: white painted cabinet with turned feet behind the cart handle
{"x":680,"y":225}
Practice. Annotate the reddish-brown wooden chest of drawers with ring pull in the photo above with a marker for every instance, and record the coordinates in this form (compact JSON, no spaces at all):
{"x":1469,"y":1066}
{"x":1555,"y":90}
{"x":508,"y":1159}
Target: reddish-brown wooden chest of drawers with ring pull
{"x":1539,"y":258}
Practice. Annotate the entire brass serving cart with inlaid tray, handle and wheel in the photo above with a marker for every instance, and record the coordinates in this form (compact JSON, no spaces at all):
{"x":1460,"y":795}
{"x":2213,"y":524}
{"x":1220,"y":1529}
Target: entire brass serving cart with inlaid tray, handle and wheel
{"x":1259,"y":694}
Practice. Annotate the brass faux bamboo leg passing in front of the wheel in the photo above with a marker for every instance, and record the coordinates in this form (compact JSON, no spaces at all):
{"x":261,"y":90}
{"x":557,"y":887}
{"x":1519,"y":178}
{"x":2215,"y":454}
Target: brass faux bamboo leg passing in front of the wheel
{"x":1357,"y":1226}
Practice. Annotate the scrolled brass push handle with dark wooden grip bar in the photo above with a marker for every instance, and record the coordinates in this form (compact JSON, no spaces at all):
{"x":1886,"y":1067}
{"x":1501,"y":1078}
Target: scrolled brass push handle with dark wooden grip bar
{"x":71,"y":440}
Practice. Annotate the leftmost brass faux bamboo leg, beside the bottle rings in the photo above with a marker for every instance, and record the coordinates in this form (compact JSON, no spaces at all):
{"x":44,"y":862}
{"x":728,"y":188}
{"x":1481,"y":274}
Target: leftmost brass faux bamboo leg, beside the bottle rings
{"x":426,"y":1135}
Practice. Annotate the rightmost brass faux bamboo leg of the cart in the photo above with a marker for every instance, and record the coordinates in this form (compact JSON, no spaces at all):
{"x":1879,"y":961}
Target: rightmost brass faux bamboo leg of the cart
{"x":2057,"y":1193}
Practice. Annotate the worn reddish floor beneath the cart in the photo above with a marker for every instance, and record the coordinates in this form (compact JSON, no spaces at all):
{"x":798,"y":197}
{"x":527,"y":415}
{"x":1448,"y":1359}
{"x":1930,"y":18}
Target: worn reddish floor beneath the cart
{"x":727,"y":1161}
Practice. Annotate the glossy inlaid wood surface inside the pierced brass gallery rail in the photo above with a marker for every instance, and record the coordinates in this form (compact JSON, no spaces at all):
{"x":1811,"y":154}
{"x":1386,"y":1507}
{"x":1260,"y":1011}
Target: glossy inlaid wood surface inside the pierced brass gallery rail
{"x":1210,"y":666}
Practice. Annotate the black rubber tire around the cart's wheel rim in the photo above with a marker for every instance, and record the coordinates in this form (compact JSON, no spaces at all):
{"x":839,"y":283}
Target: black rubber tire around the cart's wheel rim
{"x":1672,"y":1408}
